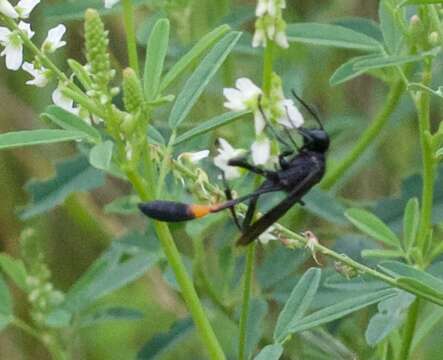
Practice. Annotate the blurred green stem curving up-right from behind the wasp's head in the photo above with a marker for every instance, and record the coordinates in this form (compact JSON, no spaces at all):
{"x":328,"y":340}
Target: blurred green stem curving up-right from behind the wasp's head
{"x":368,"y":137}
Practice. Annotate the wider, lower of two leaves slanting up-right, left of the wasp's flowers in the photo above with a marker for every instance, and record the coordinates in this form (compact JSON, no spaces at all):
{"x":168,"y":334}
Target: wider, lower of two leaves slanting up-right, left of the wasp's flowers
{"x":197,"y":82}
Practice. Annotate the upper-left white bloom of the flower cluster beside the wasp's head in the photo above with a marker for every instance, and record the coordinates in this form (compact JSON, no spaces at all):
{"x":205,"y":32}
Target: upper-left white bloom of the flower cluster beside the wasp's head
{"x":243,"y":97}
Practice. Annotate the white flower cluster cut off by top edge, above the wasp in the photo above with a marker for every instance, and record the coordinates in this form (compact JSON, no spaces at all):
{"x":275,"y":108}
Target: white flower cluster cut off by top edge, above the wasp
{"x":270,"y":24}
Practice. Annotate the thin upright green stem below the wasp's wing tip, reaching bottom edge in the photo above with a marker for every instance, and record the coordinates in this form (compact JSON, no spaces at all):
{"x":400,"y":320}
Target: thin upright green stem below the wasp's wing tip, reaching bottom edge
{"x":249,"y":270}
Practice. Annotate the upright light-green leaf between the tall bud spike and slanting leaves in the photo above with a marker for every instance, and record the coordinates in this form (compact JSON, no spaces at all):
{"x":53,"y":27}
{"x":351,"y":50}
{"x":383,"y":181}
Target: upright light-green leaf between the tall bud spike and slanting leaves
{"x":156,"y":50}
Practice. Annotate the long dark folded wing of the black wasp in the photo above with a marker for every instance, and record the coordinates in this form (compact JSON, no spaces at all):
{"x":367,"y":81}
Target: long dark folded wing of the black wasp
{"x":262,"y":224}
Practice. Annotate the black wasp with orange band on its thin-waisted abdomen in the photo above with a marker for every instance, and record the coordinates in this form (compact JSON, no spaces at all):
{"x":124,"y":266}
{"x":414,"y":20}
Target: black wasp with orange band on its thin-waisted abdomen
{"x":297,"y":174}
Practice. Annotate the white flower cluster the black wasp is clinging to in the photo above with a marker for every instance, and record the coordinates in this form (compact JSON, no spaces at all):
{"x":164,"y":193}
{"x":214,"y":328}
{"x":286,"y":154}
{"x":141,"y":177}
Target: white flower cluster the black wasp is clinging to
{"x":246,"y":96}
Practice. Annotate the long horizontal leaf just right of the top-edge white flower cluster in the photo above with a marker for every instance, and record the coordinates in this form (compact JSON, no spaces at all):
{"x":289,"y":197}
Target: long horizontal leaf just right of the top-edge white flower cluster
{"x":331,"y":35}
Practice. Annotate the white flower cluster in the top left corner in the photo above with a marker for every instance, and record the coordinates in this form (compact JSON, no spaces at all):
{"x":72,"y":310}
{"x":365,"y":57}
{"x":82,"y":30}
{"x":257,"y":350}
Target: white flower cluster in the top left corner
{"x":12,"y":42}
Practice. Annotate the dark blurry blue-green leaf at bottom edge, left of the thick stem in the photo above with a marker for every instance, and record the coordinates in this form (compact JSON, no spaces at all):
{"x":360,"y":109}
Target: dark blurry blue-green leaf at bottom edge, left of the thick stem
{"x":164,"y":341}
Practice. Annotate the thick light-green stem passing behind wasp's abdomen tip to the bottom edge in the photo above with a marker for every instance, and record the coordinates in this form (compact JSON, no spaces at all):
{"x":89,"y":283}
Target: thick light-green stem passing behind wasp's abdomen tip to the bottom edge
{"x":187,"y":288}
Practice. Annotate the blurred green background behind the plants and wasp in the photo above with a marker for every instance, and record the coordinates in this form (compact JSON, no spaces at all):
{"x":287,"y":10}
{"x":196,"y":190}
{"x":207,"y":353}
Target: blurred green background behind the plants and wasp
{"x":73,"y":237}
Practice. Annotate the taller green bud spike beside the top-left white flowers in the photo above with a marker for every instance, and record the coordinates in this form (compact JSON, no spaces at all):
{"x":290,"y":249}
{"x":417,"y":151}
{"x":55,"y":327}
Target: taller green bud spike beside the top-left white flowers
{"x":96,"y":42}
